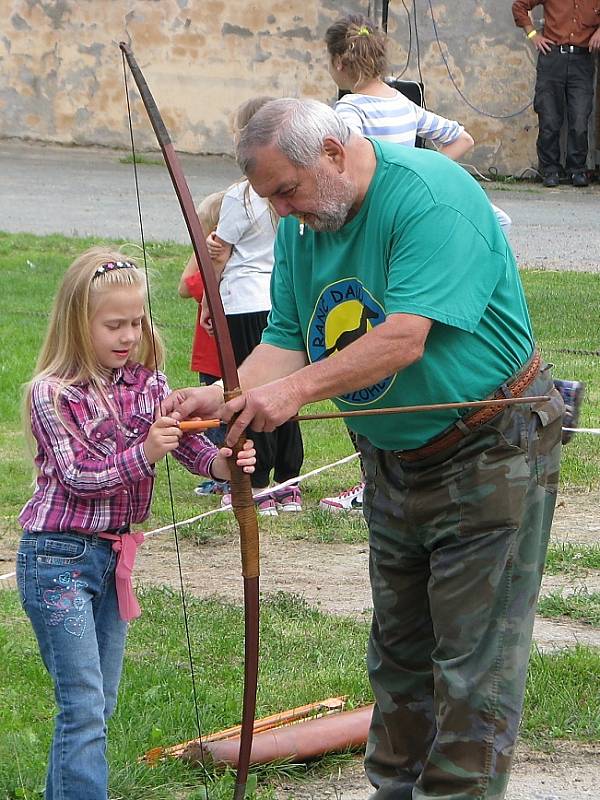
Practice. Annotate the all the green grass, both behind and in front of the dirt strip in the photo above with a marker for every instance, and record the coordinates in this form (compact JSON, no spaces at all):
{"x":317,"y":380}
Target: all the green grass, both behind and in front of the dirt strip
{"x":306,"y":655}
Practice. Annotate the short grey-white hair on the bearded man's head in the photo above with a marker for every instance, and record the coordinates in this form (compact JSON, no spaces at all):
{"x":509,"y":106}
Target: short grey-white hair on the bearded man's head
{"x":296,"y":127}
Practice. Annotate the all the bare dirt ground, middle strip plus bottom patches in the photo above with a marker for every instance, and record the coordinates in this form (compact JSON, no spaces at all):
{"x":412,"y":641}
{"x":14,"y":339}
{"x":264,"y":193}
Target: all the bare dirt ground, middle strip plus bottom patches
{"x":322,"y":575}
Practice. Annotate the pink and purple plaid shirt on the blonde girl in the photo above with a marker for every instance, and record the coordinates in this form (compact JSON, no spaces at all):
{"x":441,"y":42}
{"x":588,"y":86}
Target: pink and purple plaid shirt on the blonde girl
{"x":93,"y":474}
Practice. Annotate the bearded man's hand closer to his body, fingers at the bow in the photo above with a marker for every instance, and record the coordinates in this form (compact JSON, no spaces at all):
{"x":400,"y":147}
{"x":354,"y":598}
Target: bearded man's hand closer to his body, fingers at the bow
{"x":263,"y":408}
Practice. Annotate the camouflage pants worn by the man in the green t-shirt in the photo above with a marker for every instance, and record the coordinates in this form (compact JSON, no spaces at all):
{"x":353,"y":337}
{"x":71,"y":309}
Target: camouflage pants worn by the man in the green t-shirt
{"x":457,"y":546}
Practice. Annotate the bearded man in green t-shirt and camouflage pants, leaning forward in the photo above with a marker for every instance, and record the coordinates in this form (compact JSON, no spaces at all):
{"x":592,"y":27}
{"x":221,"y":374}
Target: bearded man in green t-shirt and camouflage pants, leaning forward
{"x":394,"y":285}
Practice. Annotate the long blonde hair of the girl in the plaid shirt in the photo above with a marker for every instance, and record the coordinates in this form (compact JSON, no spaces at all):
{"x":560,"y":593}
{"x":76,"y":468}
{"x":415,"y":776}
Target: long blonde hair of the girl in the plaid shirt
{"x":67,"y":355}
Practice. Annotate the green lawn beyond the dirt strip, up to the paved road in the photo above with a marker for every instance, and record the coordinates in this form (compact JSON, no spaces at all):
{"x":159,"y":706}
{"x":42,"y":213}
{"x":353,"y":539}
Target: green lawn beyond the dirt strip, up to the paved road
{"x":562,"y":306}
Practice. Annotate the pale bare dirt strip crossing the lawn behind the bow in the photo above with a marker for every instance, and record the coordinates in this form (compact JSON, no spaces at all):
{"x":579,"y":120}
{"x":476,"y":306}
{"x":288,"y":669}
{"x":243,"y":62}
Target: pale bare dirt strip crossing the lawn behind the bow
{"x":322,"y":573}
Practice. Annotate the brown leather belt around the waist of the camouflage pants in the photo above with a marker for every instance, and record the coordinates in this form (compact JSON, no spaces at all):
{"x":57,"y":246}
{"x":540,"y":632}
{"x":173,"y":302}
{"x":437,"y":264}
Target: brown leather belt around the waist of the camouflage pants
{"x":464,"y":426}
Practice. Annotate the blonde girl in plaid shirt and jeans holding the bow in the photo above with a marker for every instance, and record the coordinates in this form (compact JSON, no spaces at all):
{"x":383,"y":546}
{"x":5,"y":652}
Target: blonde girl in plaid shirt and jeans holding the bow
{"x":93,"y":415}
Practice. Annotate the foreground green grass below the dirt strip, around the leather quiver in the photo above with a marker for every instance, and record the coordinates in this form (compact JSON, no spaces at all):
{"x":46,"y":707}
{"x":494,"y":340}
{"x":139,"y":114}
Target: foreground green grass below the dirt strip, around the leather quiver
{"x":305,"y":655}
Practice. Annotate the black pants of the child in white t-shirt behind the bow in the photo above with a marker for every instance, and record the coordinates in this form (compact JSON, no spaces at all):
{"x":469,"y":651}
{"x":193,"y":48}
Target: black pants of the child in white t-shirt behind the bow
{"x":281,"y":451}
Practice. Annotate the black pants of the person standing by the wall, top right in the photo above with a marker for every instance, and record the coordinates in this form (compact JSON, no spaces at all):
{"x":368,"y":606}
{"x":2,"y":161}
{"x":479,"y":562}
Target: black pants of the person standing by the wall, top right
{"x":564,"y":81}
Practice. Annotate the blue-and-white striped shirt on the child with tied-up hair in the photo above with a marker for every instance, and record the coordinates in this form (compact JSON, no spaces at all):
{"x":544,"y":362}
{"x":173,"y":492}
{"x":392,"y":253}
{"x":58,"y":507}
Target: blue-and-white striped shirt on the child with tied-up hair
{"x":395,"y":119}
